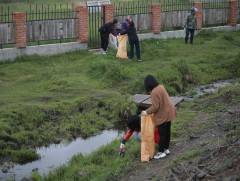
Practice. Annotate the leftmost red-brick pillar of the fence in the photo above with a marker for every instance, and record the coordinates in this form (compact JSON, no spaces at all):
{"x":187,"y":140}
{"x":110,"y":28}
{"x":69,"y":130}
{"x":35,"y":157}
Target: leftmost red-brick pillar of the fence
{"x":19,"y":19}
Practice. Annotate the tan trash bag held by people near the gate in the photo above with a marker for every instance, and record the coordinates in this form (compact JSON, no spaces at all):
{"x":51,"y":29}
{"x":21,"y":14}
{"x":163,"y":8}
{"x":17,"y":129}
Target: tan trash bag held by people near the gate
{"x":122,"y":46}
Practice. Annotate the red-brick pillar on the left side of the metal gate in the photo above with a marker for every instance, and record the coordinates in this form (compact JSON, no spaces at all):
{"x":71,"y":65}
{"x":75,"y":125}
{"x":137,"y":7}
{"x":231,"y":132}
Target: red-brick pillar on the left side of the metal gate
{"x":82,"y":20}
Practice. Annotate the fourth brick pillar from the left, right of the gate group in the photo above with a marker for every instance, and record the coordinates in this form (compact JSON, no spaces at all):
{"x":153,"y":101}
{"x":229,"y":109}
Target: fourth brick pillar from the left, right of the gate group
{"x":156,"y":18}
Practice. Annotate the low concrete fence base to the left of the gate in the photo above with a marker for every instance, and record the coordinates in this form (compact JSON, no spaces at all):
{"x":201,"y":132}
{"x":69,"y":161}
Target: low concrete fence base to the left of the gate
{"x":10,"y":54}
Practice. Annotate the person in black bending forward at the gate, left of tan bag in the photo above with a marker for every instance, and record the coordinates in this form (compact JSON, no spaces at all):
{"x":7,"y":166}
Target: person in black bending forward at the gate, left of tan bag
{"x":104,"y":31}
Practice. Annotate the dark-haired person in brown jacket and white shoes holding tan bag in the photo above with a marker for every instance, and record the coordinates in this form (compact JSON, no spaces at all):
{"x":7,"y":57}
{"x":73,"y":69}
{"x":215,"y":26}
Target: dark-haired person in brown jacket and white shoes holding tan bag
{"x":164,"y":112}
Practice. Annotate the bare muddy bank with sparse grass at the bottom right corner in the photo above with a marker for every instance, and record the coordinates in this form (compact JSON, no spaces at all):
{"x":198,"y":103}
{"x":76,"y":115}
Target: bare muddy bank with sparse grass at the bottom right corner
{"x":220,"y":159}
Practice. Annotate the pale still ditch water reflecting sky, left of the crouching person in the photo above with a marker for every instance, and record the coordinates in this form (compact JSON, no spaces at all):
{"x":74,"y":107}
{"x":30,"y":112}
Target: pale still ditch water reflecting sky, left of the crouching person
{"x":56,"y":155}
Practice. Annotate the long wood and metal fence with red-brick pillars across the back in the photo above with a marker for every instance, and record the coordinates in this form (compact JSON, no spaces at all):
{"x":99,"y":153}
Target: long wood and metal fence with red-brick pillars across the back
{"x":52,"y":23}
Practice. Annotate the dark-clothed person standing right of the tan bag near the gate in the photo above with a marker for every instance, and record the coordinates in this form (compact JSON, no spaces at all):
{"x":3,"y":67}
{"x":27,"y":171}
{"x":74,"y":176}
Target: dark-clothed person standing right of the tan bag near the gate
{"x":133,"y":41}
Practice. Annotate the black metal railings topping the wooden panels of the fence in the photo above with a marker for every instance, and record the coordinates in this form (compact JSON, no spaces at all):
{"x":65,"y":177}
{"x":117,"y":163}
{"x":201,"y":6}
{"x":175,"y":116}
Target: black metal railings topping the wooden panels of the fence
{"x":64,"y":11}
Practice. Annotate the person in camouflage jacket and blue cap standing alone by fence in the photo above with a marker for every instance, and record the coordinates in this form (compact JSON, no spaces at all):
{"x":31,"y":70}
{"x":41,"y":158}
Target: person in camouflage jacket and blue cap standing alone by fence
{"x":191,"y":25}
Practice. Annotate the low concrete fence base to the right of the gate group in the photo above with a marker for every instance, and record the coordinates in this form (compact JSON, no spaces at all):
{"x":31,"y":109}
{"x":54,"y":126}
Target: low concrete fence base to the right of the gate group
{"x":181,"y":33}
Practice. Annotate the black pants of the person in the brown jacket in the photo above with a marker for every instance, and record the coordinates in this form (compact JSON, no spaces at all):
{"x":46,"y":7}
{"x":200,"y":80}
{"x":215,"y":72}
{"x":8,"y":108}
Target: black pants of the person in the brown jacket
{"x":164,"y":131}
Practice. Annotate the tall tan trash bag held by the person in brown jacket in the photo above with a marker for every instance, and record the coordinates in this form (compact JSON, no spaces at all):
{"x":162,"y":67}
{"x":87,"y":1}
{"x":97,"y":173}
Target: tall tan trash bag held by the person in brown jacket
{"x":147,"y":137}
